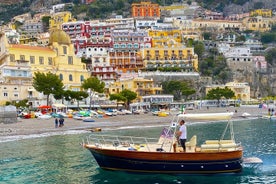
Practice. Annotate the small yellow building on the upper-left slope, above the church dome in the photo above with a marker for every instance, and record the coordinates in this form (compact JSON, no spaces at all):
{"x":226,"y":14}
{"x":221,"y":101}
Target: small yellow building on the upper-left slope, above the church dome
{"x":59,"y":18}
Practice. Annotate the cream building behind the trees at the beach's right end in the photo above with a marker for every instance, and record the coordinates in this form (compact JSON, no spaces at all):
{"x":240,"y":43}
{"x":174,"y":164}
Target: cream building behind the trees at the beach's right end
{"x":241,"y":90}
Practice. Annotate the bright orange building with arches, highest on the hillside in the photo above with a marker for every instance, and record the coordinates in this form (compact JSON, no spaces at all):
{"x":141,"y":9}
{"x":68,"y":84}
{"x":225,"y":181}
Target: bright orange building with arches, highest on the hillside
{"x":145,"y":9}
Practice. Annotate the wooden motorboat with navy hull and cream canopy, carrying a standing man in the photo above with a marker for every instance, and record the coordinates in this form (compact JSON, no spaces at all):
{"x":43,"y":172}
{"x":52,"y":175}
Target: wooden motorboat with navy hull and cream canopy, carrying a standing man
{"x":163,"y":155}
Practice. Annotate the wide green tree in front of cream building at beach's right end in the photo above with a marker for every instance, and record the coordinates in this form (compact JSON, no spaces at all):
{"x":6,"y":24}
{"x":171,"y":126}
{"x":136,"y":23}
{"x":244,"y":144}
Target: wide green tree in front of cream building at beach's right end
{"x":218,"y":93}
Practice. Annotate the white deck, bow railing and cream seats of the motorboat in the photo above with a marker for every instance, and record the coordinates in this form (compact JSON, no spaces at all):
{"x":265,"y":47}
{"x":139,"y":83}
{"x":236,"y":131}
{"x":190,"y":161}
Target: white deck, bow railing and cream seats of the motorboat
{"x":141,"y":144}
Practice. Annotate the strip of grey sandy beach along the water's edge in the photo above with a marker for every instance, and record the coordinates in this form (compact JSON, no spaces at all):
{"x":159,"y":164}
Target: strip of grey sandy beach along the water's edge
{"x":39,"y":126}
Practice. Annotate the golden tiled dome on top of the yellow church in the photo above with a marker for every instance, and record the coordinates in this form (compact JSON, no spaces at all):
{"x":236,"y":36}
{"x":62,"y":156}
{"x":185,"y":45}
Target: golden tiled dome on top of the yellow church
{"x":60,"y":37}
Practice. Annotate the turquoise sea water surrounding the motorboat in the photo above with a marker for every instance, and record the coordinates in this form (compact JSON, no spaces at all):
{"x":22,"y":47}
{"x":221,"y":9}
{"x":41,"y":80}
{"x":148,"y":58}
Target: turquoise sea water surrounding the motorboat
{"x":61,"y":158}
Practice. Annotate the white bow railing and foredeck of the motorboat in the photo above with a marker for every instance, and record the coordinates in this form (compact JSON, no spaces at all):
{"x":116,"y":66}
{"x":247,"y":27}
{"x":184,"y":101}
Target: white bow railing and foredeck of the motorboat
{"x":119,"y":142}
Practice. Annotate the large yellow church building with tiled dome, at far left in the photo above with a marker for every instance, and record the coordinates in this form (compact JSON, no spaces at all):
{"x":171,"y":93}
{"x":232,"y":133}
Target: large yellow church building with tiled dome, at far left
{"x":22,"y":61}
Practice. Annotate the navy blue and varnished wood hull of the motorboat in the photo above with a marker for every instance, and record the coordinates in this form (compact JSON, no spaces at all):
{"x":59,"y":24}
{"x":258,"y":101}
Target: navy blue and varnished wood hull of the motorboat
{"x":162,"y":162}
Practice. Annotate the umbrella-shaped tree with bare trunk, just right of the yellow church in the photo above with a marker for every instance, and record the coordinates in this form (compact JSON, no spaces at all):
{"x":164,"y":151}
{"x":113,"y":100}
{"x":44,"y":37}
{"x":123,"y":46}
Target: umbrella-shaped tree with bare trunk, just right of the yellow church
{"x":95,"y":85}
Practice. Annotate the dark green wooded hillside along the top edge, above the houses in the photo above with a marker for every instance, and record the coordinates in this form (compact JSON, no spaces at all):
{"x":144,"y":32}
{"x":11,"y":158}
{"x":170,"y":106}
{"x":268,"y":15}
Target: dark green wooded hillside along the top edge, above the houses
{"x":104,"y":8}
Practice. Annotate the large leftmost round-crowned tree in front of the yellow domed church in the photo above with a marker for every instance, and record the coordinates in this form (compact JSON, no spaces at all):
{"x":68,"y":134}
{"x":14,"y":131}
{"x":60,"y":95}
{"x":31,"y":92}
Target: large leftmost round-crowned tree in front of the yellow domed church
{"x":47,"y":84}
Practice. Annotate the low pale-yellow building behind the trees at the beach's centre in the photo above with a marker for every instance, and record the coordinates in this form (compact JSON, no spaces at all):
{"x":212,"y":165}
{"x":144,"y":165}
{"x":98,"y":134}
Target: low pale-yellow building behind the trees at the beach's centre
{"x":140,"y":86}
